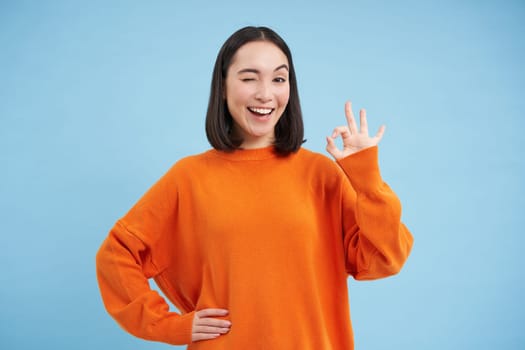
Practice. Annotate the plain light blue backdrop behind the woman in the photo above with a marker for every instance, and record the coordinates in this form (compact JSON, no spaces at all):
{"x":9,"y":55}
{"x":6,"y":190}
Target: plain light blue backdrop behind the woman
{"x":99,"y":98}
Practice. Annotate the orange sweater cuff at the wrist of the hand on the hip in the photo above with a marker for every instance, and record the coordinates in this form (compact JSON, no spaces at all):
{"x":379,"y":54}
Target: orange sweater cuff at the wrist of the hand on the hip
{"x":176,"y":330}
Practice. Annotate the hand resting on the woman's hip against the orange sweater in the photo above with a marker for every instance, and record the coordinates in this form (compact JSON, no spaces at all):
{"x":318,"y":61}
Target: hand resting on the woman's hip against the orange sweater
{"x":207,"y":326}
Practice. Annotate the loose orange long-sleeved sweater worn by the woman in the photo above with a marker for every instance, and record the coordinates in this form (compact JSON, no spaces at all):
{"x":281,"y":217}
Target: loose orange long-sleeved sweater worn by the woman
{"x":271,"y":239}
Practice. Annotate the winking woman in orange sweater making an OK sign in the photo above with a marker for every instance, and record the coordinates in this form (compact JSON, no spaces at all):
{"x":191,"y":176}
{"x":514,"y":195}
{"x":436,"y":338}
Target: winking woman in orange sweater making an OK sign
{"x":253,"y":240}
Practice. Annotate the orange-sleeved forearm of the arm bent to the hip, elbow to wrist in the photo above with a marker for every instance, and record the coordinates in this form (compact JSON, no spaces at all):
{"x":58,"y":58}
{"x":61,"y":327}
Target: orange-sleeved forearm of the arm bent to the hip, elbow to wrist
{"x":127,"y":296}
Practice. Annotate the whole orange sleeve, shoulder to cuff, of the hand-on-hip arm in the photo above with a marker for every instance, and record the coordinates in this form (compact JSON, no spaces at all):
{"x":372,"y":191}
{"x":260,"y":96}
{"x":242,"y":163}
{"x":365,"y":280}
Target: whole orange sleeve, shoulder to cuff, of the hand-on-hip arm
{"x":130,"y":255}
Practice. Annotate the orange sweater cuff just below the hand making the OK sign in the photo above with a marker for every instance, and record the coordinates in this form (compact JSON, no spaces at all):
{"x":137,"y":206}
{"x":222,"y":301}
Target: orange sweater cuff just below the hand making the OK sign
{"x":362,"y":168}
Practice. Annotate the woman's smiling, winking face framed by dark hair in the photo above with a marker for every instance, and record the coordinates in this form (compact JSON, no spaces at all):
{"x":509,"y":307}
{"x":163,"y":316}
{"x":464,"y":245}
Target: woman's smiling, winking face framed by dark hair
{"x":257,"y":92}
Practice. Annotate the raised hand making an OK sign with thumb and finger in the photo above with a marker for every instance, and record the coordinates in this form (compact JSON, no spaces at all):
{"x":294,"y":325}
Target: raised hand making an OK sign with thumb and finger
{"x":354,"y":139}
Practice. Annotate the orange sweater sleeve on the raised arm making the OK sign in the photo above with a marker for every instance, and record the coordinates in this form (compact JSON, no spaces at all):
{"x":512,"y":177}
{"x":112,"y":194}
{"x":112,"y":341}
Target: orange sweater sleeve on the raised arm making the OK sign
{"x":376,"y":242}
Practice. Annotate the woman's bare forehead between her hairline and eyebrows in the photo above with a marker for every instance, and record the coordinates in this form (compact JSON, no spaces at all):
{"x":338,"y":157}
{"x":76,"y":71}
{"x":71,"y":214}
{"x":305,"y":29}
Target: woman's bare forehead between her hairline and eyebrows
{"x":259,"y":54}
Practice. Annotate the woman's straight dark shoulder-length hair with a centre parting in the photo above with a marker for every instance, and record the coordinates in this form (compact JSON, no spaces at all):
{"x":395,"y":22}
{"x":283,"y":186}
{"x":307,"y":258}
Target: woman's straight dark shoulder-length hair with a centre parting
{"x":289,"y":130}
